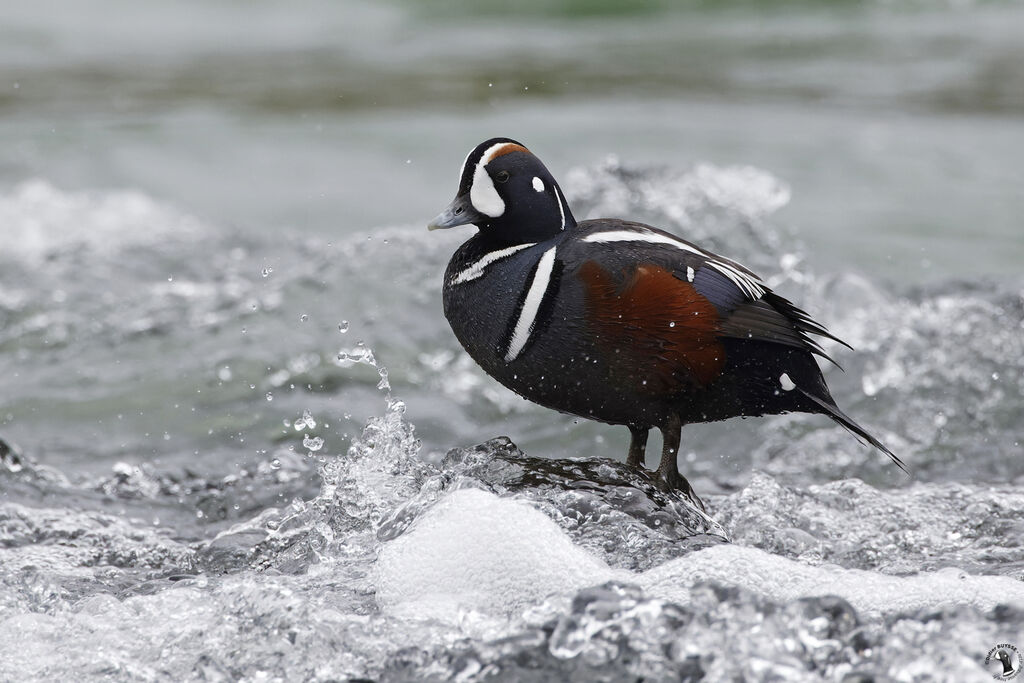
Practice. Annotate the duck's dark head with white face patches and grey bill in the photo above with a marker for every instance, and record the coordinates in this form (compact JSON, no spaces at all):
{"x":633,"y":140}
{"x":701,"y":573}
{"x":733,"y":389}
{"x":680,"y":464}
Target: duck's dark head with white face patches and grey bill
{"x":507,"y":193}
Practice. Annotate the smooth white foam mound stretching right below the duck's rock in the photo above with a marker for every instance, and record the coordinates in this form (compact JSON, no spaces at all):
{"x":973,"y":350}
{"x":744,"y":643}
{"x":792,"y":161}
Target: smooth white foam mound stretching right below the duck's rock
{"x":476,"y":551}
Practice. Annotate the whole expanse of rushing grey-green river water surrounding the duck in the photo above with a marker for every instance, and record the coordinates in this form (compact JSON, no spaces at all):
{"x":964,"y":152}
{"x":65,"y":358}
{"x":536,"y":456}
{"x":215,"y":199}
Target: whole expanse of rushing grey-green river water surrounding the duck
{"x":240,"y":442}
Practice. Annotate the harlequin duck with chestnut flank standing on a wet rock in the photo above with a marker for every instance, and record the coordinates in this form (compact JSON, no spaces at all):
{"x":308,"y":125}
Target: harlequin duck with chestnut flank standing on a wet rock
{"x":616,"y":321}
